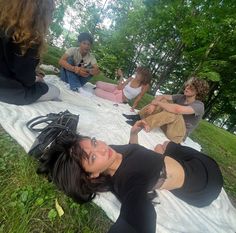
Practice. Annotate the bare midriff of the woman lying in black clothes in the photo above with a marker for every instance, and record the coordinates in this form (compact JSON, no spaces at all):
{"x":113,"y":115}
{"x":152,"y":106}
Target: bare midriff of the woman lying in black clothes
{"x":175,"y":174}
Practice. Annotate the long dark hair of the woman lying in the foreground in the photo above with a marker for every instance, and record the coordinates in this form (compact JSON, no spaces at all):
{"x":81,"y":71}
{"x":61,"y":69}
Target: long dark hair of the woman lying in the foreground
{"x":62,"y":163}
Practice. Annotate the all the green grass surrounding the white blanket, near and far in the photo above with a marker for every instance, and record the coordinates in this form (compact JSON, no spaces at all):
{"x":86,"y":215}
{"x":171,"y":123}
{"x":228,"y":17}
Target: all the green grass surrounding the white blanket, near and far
{"x":27,"y":201}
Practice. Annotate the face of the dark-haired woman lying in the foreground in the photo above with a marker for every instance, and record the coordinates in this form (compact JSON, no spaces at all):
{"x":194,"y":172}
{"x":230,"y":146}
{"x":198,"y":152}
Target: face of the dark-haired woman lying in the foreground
{"x":100,"y":156}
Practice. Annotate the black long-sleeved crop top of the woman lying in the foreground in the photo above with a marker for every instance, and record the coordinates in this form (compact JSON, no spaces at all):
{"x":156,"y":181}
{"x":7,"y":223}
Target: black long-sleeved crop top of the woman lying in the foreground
{"x":137,"y":174}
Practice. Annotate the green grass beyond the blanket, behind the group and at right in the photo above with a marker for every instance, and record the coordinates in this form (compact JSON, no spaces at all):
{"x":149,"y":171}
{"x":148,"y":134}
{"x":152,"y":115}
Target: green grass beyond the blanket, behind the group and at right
{"x":216,"y":142}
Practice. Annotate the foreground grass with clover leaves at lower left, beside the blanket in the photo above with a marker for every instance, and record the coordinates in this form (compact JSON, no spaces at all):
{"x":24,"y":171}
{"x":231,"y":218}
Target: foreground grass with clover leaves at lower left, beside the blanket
{"x":27,"y":201}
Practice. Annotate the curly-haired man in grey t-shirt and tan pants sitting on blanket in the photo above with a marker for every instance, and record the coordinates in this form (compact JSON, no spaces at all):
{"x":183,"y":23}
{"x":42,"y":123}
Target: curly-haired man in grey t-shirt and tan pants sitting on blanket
{"x":177,"y":115}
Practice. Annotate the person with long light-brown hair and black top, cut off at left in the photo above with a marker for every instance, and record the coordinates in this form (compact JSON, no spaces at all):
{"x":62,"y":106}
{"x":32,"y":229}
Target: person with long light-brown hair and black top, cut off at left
{"x":23,"y":28}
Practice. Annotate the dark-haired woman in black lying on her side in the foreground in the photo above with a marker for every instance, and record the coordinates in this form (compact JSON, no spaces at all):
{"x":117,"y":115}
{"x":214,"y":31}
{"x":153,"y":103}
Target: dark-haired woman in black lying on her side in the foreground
{"x":82,"y":166}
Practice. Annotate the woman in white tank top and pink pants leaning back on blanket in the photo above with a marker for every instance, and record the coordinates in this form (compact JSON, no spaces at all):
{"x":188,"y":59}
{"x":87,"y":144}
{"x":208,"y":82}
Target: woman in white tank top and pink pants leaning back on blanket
{"x":126,"y":90}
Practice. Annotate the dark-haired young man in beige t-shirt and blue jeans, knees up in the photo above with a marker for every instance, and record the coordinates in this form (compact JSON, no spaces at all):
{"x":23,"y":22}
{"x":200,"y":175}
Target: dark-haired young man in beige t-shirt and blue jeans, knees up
{"x":78,"y":64}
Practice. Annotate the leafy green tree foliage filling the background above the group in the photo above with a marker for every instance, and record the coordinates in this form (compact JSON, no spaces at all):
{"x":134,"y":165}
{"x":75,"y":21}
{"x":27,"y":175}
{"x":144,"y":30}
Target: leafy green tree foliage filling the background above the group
{"x":174,"y":38}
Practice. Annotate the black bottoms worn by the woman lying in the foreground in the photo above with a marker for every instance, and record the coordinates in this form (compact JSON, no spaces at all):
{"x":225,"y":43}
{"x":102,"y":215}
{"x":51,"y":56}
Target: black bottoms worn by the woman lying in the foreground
{"x":203,"y":179}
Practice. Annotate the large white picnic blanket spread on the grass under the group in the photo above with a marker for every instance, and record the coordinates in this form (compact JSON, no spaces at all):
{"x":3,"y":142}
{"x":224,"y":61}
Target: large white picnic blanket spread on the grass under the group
{"x":103,"y":119}
